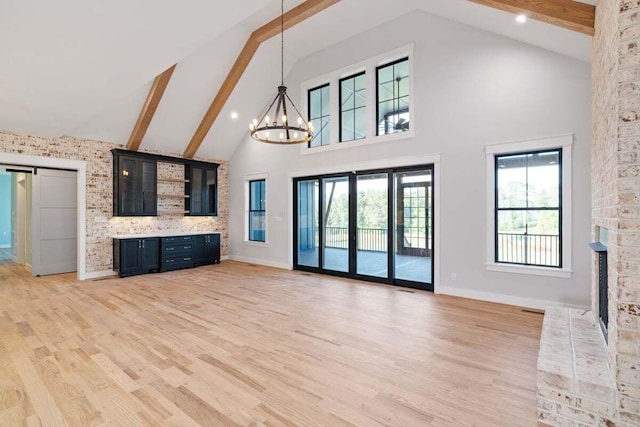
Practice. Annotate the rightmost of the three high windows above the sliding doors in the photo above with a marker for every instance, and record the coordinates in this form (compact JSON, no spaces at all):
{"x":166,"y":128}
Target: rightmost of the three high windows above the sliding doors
{"x":392,"y":84}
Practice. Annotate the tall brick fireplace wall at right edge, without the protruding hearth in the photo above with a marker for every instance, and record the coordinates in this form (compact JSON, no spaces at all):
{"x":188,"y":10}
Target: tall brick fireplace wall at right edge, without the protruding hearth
{"x":616,"y":187}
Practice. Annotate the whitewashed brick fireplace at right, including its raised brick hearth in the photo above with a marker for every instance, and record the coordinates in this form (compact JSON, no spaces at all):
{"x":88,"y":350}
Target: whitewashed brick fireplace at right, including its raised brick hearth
{"x":582,"y":380}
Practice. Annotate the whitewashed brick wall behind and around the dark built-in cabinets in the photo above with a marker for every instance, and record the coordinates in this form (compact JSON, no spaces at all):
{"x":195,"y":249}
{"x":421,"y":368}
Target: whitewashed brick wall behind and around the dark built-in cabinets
{"x":99,"y":161}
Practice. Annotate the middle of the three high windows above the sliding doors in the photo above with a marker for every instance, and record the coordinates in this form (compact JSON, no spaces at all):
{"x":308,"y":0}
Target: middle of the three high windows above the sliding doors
{"x":353,"y":97}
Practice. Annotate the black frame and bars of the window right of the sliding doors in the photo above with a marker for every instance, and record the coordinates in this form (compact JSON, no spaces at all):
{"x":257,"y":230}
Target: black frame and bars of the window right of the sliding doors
{"x":498,"y":209}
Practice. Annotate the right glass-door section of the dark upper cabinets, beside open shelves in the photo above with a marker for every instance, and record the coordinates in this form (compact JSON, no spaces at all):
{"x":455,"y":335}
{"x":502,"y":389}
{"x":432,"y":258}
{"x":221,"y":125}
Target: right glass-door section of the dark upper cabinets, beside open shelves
{"x":203,"y":190}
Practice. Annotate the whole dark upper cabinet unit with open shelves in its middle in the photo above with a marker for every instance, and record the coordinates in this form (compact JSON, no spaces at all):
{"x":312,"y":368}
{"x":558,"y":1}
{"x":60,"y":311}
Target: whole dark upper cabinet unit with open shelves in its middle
{"x":135,"y":185}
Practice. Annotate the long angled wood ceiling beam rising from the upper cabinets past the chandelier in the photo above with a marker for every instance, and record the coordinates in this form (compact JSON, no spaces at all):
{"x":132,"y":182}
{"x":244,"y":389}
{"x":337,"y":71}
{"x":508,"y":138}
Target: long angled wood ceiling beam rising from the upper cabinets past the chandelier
{"x":294,"y":16}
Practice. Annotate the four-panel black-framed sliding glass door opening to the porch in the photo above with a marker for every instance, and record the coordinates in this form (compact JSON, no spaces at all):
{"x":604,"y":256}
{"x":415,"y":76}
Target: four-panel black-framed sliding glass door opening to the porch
{"x":371,"y":225}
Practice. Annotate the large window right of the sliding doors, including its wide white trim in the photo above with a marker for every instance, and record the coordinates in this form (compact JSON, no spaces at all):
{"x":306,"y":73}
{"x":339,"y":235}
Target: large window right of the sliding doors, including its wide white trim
{"x":529,"y":212}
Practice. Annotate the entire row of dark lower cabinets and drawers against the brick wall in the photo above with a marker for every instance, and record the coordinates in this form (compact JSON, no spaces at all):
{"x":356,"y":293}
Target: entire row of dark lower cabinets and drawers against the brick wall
{"x":146,"y":255}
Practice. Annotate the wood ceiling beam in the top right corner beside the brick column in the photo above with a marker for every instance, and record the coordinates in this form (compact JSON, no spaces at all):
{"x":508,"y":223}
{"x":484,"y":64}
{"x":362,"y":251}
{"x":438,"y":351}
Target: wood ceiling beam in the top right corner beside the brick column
{"x":568,"y":14}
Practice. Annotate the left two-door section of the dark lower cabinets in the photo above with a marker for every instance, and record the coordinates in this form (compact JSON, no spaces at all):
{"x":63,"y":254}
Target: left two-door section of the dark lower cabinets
{"x":135,"y":256}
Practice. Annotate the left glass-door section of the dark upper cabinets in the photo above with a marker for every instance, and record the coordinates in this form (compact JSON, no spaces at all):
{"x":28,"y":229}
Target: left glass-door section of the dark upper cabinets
{"x":134,"y":186}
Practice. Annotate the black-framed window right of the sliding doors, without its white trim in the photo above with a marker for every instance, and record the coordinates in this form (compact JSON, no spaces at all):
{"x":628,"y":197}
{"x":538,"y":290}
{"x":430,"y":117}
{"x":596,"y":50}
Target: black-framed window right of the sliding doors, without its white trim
{"x":528,"y":208}
